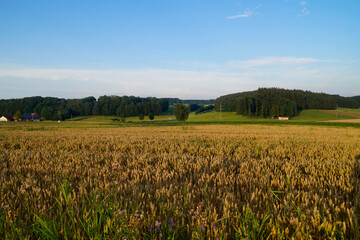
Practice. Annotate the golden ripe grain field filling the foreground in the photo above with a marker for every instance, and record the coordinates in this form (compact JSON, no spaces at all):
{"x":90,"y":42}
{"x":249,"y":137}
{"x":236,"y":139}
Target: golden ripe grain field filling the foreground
{"x":180,"y":182}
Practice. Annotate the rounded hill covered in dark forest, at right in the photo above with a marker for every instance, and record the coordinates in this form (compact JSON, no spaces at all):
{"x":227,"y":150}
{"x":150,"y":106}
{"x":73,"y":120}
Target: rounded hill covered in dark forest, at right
{"x":274,"y":102}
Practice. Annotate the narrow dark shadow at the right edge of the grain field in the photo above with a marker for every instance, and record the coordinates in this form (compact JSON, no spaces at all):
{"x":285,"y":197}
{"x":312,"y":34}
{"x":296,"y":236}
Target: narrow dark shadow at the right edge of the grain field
{"x":356,"y":183}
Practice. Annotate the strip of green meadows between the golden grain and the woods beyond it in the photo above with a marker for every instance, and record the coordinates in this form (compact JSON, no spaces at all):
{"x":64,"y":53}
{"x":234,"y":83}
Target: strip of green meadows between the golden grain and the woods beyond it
{"x":341,"y":117}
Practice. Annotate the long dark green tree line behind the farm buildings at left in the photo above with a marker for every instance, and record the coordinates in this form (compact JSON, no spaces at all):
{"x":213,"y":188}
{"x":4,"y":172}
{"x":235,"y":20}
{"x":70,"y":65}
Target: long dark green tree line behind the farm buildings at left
{"x":51,"y":108}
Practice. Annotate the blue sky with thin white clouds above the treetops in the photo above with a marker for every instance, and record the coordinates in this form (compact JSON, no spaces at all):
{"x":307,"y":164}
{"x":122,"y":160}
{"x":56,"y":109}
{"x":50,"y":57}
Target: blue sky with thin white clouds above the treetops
{"x":189,"y":49}
